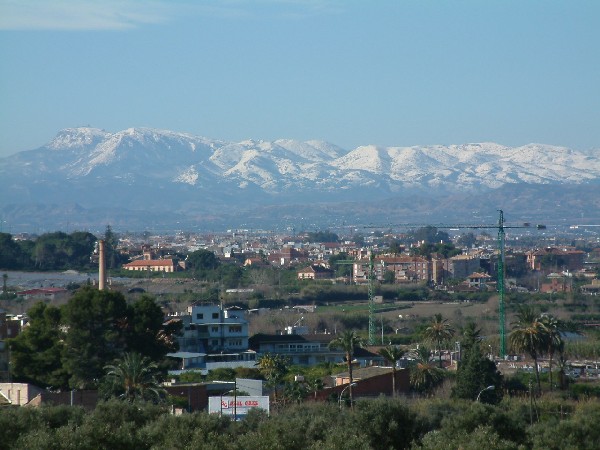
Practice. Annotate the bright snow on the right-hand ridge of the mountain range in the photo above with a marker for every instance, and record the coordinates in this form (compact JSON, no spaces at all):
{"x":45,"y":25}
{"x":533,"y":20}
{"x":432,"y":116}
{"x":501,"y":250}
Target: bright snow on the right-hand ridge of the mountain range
{"x":486,"y":164}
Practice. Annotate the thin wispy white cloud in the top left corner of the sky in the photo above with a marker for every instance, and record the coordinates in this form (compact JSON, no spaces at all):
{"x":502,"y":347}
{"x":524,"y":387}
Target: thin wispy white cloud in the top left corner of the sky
{"x":82,"y":14}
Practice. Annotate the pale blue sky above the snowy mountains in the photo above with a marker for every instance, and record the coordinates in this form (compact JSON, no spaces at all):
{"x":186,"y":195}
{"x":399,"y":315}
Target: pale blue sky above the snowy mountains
{"x":397,"y":72}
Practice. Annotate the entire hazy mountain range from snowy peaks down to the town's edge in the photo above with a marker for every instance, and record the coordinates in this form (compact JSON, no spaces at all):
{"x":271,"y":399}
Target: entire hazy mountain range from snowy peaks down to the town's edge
{"x":154,"y":179}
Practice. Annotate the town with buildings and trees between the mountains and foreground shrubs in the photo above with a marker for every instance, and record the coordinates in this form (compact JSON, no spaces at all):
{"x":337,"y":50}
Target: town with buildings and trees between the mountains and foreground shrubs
{"x":247,"y":319}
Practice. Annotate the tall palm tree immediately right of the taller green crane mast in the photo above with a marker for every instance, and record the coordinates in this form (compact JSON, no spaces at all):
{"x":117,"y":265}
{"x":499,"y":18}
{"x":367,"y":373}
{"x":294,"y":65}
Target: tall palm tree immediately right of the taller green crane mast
{"x":529,"y":335}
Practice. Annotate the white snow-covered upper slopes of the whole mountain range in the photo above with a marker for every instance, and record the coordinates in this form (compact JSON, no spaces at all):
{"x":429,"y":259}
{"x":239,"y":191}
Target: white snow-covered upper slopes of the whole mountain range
{"x":146,"y":156}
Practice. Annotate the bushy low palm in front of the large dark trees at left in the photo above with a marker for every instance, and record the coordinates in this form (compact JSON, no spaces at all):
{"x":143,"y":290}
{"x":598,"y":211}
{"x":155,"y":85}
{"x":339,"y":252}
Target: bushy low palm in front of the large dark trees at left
{"x":135,"y":377}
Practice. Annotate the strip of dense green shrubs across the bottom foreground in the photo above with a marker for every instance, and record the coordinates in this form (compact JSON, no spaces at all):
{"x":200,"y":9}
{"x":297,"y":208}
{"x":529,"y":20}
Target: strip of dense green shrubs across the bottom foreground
{"x":380,"y":423}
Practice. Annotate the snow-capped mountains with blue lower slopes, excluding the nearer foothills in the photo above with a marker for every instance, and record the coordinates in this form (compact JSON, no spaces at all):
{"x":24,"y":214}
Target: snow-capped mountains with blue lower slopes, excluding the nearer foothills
{"x":142,"y":168}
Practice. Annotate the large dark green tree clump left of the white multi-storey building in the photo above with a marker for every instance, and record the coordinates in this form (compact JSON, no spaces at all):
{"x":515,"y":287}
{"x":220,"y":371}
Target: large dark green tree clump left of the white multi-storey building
{"x":70,"y":346}
